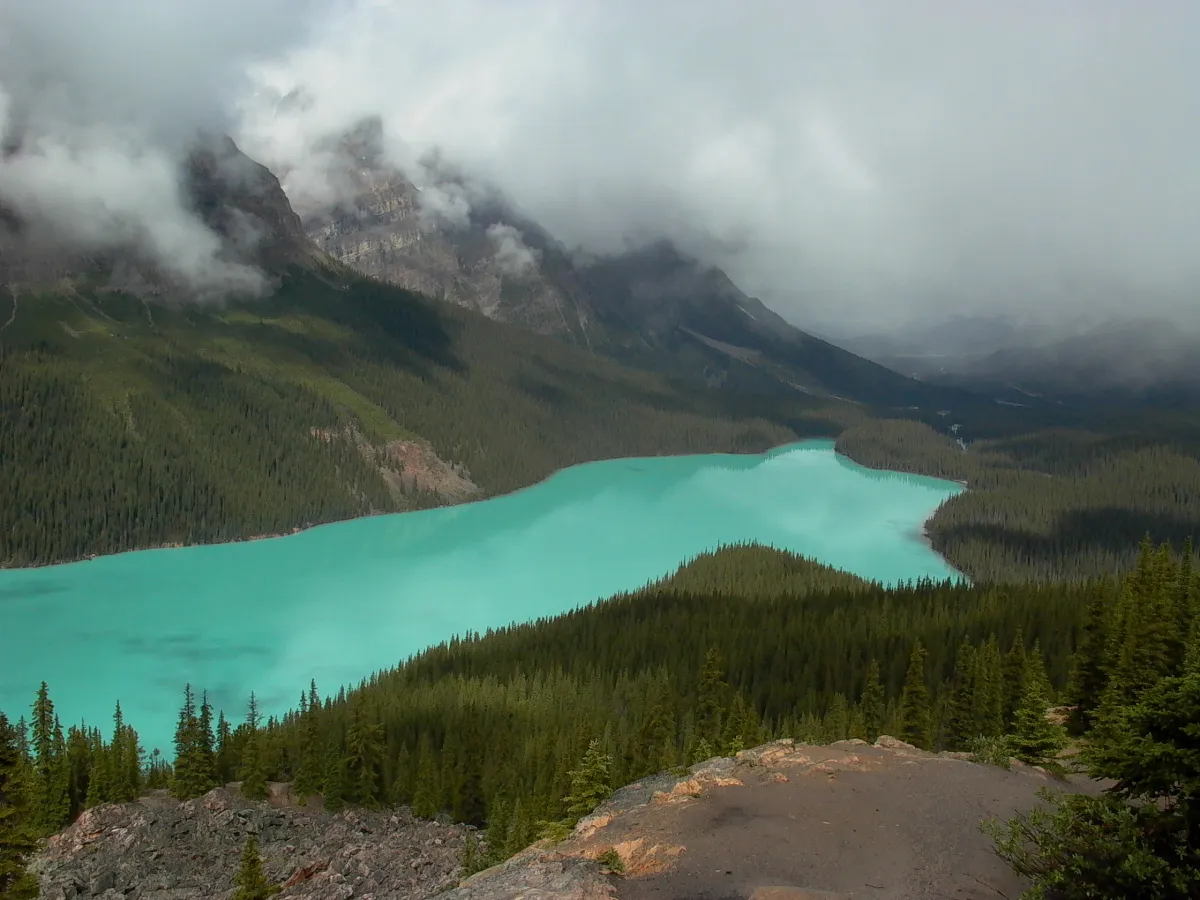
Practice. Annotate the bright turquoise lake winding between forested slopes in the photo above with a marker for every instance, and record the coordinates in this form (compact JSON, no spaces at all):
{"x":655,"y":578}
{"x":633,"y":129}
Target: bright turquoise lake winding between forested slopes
{"x":340,"y":602}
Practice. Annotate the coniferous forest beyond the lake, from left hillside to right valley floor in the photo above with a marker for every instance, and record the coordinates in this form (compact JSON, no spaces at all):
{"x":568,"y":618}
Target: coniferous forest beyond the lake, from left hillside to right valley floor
{"x":129,"y":424}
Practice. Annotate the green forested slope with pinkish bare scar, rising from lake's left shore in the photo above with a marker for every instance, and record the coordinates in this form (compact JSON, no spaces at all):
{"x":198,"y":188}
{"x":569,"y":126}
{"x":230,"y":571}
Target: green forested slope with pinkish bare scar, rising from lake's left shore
{"x":134,"y":424}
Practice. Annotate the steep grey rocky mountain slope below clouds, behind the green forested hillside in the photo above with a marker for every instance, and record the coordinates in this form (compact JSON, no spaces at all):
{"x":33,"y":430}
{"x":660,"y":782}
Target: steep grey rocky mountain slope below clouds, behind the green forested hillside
{"x":653,"y":308}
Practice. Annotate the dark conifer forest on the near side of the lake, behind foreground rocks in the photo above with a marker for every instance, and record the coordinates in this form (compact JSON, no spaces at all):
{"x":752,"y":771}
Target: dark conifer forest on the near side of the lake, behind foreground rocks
{"x":523,"y":730}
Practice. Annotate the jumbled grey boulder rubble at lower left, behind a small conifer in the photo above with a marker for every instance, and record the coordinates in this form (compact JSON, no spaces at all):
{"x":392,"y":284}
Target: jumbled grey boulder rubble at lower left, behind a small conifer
{"x":163,"y":850}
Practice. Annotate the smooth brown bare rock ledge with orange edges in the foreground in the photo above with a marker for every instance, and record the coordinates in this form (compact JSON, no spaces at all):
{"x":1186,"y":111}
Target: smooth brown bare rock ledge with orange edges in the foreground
{"x":785,"y":821}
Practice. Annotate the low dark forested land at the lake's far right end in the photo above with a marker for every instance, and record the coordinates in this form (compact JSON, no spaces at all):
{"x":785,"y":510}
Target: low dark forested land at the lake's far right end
{"x":1052,"y":503}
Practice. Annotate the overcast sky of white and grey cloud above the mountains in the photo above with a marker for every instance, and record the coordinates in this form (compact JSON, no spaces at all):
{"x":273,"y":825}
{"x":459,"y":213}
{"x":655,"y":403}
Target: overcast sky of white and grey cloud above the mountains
{"x":859,"y":163}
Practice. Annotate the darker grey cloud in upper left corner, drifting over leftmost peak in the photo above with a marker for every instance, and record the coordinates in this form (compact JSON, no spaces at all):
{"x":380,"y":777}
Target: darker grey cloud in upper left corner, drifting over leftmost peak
{"x":101,"y":103}
